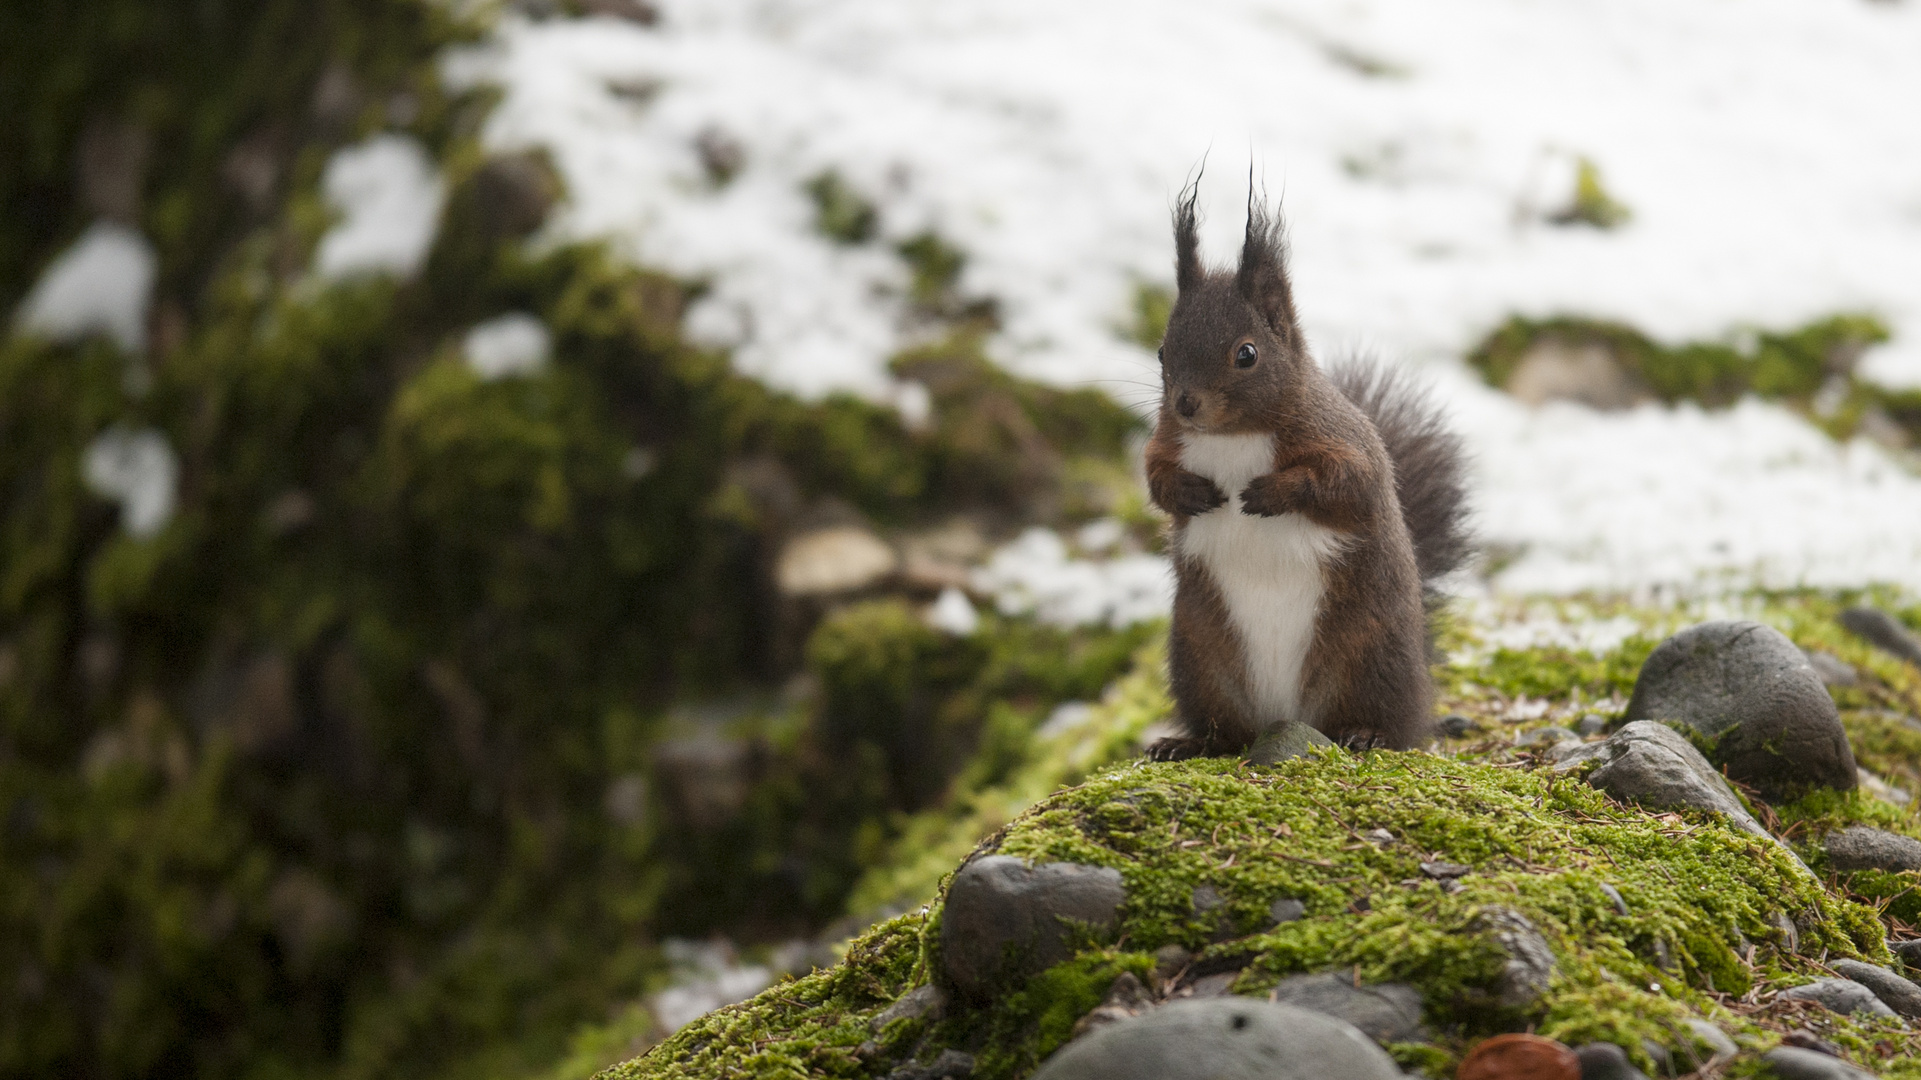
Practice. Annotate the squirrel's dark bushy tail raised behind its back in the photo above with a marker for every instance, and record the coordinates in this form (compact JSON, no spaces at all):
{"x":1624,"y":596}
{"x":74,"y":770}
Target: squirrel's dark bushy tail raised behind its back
{"x":1430,"y":466}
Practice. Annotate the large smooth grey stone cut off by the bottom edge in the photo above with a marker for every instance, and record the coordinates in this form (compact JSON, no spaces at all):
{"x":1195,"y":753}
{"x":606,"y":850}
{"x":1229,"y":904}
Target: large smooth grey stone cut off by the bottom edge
{"x":1225,"y":1039}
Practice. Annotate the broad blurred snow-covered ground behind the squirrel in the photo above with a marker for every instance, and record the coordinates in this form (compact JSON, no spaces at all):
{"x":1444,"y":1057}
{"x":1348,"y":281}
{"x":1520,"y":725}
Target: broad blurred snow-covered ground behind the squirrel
{"x":1766,"y":149}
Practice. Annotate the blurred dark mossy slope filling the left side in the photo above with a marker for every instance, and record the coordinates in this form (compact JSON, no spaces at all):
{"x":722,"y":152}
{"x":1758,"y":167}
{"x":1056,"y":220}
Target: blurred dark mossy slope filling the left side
{"x":320,"y":779}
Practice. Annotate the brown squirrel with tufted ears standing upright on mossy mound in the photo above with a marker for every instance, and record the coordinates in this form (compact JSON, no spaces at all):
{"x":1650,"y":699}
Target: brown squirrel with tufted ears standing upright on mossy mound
{"x":1313,"y":514}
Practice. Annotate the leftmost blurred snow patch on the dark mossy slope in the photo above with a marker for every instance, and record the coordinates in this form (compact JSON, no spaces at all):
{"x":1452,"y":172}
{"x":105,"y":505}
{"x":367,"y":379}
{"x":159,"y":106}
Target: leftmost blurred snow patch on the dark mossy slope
{"x":101,"y":285}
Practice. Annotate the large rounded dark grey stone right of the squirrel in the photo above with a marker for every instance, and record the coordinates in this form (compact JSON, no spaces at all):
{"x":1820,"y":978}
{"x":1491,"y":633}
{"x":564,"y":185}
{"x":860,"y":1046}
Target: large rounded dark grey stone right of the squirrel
{"x":1749,"y":689}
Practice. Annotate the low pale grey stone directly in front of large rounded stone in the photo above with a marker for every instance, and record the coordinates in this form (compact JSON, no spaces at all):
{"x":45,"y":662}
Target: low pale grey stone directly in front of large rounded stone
{"x":1655,"y":766}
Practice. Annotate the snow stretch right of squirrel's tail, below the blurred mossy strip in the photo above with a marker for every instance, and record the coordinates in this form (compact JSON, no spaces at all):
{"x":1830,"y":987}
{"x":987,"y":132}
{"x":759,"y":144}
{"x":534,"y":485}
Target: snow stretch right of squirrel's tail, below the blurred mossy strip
{"x":1703,"y":503}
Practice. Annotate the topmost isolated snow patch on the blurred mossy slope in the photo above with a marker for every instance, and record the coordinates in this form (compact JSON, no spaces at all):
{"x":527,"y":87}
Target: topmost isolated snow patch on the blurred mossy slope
{"x":389,"y":195}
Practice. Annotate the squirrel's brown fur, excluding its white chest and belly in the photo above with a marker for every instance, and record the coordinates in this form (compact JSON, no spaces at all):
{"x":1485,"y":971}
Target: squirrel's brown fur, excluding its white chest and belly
{"x":1365,"y":679}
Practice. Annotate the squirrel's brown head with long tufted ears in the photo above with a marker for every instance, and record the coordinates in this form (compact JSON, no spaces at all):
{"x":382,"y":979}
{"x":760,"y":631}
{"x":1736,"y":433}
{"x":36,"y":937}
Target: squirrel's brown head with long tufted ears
{"x":1234,"y":351}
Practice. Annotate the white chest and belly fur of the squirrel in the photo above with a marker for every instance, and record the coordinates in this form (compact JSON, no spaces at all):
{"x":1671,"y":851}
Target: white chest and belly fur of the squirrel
{"x":1269,"y":570}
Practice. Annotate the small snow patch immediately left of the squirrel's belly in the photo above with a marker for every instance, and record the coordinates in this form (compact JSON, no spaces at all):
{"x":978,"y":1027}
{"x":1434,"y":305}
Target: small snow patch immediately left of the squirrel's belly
{"x":1036,"y":576}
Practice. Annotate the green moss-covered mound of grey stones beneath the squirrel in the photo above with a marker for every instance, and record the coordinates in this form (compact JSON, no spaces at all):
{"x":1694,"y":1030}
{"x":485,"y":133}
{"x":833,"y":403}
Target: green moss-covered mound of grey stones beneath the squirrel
{"x":1724,"y":700}
